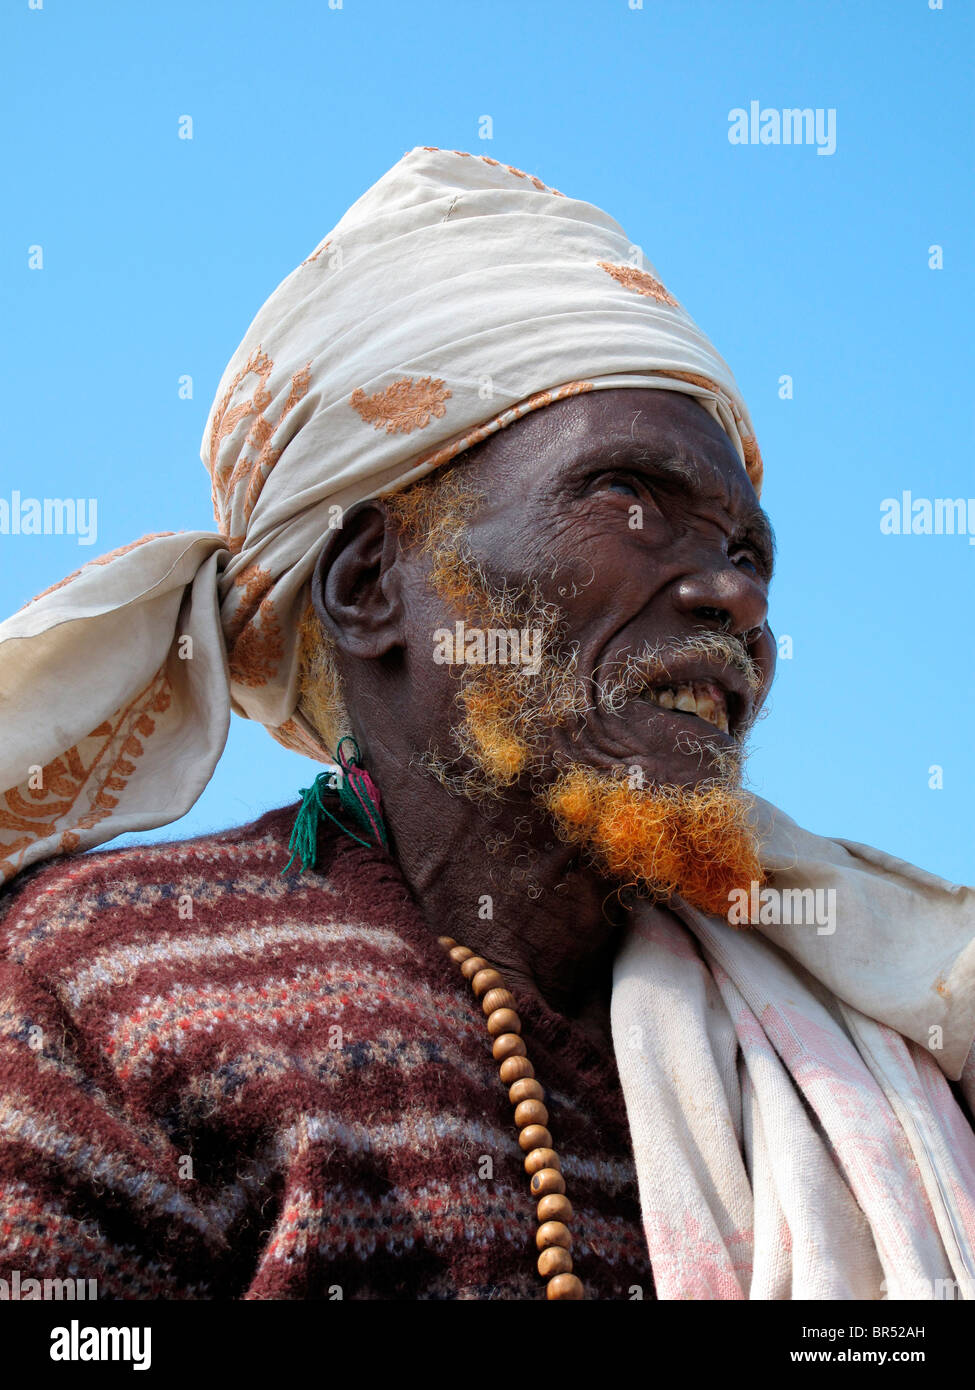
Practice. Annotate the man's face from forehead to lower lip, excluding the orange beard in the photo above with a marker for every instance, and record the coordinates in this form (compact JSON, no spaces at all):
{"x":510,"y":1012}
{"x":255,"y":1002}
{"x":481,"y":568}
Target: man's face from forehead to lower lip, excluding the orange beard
{"x":635,"y":516}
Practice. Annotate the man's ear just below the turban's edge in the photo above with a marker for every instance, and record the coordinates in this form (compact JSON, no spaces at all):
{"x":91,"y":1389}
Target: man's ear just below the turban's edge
{"x":357,"y":584}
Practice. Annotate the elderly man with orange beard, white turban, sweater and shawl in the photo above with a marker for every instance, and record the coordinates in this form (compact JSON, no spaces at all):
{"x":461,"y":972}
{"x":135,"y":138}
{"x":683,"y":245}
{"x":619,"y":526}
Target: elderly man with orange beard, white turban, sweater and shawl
{"x":529,"y":997}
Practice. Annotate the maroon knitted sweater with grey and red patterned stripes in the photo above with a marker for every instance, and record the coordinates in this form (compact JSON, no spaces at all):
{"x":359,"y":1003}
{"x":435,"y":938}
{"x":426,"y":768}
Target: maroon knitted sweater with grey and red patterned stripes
{"x":220,"y":1082}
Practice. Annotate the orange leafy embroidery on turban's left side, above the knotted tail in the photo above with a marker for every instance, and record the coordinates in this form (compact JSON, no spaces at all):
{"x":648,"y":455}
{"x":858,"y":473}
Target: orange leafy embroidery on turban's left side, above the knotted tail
{"x":229,"y":477}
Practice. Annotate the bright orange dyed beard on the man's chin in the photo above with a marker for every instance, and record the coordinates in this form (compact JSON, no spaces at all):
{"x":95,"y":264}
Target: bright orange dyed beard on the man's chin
{"x":670,"y":840}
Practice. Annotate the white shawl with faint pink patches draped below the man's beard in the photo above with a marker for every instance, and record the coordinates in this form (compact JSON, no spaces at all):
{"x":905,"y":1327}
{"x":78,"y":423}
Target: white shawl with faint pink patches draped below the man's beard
{"x":793,"y":1128}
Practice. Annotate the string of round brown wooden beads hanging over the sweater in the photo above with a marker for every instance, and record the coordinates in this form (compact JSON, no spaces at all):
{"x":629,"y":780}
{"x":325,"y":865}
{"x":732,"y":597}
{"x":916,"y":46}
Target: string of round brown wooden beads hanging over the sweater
{"x":542,"y":1163}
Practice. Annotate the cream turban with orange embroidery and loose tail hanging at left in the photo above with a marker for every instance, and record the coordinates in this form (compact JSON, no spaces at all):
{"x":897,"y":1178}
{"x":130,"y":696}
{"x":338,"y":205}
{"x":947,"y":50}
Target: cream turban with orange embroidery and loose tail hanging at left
{"x":456,"y":295}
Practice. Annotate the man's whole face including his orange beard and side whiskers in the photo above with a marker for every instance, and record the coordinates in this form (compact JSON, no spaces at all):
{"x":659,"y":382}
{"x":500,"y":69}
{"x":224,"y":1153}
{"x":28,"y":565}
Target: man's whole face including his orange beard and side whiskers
{"x":620,"y":533}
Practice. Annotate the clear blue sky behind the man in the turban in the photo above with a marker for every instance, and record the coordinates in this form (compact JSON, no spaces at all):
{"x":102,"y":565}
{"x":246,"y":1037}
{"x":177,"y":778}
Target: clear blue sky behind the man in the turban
{"x":158,"y":252}
